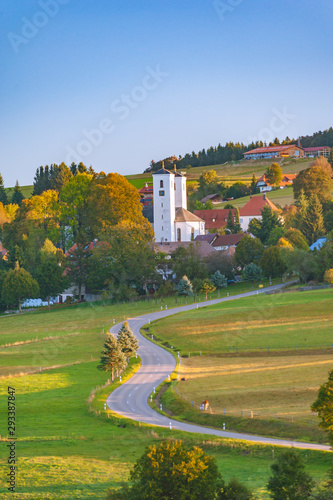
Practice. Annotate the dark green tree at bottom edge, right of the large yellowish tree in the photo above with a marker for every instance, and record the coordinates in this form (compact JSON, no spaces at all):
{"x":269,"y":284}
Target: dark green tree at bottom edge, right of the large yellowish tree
{"x":289,"y":481}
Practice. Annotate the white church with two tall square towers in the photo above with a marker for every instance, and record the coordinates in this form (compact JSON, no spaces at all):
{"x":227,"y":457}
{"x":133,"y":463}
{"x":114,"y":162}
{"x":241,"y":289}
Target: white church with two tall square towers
{"x":172,"y":221}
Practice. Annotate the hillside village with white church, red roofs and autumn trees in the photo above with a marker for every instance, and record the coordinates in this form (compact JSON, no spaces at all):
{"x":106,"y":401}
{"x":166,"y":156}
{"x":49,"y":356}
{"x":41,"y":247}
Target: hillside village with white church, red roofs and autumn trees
{"x":75,"y":234}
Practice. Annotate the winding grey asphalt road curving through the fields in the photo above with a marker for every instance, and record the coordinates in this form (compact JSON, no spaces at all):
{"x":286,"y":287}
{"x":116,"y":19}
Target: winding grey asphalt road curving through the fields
{"x":131,"y":398}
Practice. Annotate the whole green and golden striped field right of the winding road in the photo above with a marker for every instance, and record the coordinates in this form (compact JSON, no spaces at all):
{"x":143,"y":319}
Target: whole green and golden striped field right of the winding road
{"x":259,"y":361}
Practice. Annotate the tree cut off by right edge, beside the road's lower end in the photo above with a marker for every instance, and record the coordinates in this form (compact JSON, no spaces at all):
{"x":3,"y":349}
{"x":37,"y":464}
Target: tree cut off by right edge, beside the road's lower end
{"x":324,"y":406}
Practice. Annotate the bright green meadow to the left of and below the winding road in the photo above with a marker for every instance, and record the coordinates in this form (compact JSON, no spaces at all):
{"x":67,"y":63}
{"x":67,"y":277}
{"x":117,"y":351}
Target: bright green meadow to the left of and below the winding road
{"x":66,"y":451}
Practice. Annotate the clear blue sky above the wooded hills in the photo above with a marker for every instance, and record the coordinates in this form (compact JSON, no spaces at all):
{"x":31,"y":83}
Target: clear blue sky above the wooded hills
{"x":118,"y":83}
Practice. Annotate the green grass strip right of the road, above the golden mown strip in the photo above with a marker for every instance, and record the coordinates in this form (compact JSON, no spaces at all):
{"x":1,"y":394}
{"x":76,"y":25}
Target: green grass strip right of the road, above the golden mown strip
{"x":279,"y":321}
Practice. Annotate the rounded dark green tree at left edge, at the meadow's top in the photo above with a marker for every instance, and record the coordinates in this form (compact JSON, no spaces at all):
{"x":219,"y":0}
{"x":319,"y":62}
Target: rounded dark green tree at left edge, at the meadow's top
{"x":18,"y":285}
